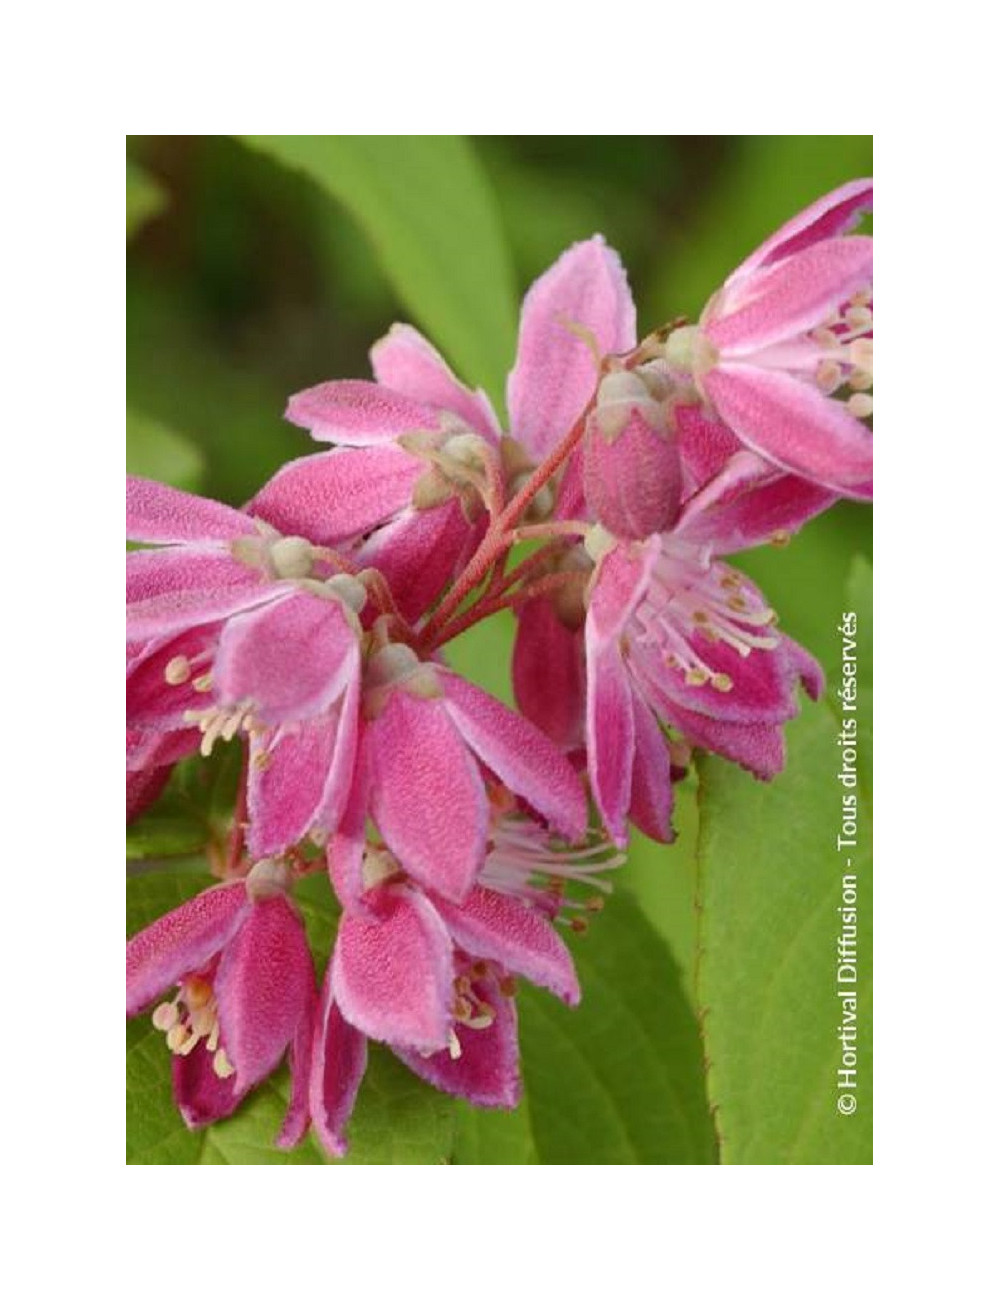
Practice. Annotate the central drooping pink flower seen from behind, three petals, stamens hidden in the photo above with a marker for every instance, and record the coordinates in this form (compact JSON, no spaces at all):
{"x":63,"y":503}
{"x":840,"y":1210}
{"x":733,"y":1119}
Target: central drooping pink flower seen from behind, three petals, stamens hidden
{"x":427,"y":740}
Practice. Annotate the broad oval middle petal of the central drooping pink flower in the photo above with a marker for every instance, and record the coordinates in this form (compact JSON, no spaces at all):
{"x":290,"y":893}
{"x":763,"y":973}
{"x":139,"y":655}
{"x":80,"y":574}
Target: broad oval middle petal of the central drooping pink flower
{"x":427,"y":794}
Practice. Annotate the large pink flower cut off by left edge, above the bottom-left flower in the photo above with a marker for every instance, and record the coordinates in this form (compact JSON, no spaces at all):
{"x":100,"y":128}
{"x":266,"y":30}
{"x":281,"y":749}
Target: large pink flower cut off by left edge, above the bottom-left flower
{"x":245,"y":631}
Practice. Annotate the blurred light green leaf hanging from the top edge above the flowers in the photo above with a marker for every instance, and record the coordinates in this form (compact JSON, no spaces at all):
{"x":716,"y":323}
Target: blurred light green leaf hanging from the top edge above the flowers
{"x":427,"y":206}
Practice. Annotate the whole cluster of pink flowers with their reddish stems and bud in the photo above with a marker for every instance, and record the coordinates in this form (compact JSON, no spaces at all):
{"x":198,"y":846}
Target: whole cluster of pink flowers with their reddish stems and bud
{"x":311,"y":630}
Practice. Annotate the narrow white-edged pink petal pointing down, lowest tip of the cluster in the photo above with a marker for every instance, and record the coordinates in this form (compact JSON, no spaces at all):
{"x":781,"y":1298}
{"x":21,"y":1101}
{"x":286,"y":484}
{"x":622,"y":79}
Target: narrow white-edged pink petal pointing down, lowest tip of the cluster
{"x":340,"y":1056}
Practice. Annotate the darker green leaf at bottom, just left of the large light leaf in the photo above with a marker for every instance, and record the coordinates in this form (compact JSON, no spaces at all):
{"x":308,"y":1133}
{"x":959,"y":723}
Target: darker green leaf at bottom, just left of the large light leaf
{"x":620,"y":1078}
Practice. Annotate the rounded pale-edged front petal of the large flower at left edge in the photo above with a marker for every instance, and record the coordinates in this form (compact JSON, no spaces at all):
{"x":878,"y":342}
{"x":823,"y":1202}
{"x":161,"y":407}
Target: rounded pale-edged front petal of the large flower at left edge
{"x":292,"y":658}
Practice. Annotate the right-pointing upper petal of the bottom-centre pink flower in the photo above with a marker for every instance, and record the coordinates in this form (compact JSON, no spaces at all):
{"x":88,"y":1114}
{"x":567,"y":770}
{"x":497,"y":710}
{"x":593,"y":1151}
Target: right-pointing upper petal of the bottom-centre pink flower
{"x":507,"y":930}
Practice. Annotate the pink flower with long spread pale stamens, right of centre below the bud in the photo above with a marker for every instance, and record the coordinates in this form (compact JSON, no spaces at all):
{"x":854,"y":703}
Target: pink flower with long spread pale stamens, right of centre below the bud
{"x":677,"y":638}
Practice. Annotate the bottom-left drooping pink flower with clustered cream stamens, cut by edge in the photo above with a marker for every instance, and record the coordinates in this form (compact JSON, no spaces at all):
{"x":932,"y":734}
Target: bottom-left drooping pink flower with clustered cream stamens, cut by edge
{"x":246,"y":994}
